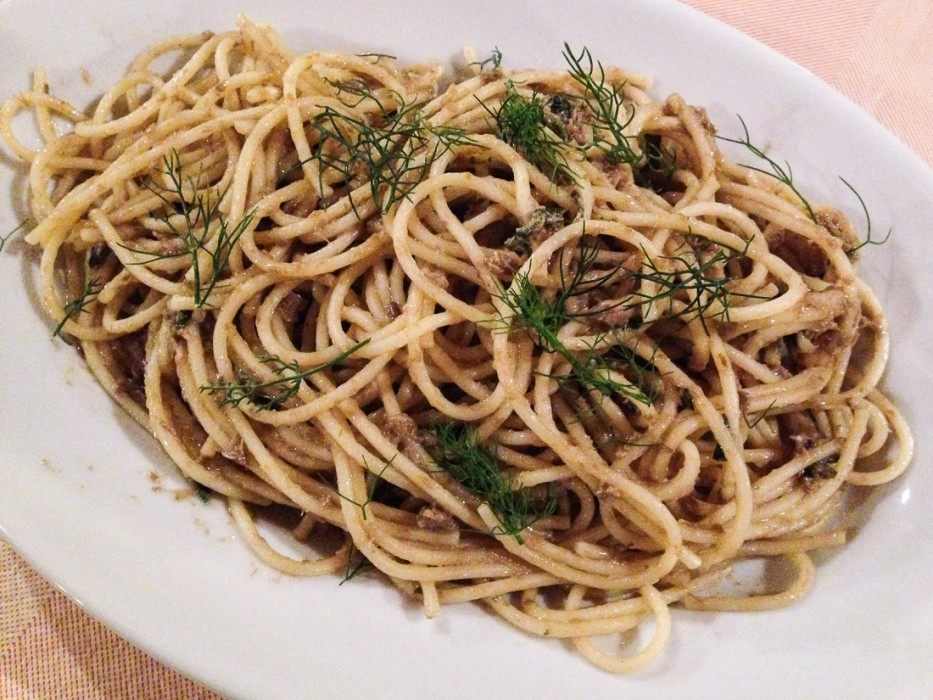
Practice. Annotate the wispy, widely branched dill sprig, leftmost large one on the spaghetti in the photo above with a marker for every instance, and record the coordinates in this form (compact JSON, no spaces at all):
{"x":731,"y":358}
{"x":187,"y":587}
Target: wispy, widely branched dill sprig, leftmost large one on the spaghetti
{"x":205,"y":228}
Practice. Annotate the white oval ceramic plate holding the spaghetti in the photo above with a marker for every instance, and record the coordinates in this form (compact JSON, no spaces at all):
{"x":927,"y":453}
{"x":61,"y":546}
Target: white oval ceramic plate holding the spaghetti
{"x":77,"y":500}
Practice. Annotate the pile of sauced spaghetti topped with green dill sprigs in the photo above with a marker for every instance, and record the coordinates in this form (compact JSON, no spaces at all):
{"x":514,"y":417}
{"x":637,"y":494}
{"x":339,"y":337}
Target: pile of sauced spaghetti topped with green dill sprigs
{"x":524,"y":337}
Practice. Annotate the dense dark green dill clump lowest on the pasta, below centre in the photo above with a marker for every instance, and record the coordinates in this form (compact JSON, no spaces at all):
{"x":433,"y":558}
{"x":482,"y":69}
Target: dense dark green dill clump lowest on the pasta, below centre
{"x":459,"y":453}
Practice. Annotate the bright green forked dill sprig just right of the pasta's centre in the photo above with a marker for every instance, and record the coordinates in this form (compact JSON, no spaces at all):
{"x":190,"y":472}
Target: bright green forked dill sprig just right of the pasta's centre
{"x":544,"y":316}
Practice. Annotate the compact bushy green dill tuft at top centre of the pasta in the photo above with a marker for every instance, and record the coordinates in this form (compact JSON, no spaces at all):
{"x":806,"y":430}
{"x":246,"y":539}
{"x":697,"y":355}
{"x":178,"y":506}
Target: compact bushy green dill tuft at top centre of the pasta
{"x":525,"y":124}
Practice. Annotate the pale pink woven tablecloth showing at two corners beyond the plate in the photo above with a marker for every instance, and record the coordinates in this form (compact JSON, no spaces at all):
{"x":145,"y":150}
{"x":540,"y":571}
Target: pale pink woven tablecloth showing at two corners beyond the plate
{"x":877,"y":52}
